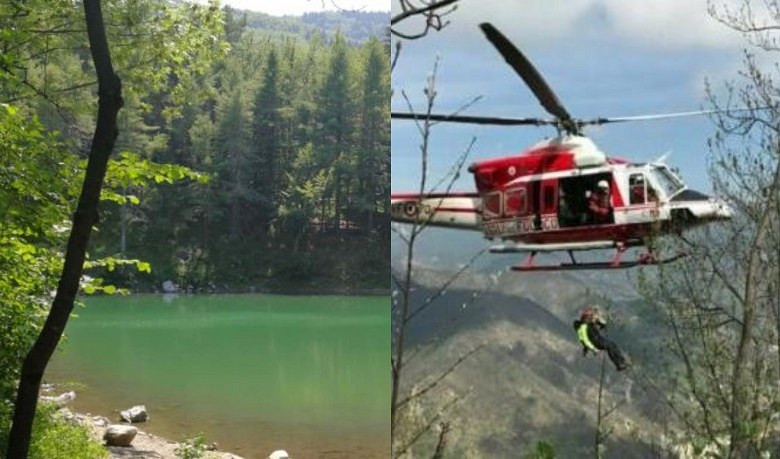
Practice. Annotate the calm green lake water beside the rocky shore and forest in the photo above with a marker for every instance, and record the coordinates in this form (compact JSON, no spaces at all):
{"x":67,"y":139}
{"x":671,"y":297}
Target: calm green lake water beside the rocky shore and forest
{"x":254,"y":373}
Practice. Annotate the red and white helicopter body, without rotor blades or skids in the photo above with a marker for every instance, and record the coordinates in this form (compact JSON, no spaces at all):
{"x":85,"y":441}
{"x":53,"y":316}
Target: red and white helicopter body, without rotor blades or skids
{"x":539,"y":200}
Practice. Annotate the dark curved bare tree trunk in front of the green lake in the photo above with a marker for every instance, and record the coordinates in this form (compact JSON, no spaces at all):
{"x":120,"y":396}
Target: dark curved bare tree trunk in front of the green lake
{"x":86,"y":216}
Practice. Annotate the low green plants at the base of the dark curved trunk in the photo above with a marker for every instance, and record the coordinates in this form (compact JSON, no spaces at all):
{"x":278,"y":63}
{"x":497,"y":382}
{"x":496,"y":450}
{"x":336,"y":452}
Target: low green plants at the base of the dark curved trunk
{"x":54,"y":437}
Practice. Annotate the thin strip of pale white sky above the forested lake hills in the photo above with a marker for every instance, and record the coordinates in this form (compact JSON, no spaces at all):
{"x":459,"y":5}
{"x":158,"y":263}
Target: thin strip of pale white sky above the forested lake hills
{"x":298,"y":7}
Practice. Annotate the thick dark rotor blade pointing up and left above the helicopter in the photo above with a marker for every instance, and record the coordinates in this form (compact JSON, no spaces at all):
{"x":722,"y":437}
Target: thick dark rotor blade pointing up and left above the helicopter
{"x":523,"y":67}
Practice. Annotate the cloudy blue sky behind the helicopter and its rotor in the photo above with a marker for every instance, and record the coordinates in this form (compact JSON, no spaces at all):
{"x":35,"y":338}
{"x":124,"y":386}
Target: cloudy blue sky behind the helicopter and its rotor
{"x":602,"y":58}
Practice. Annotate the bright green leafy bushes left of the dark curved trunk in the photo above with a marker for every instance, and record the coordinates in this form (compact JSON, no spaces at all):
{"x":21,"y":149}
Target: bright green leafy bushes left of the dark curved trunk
{"x":35,"y":188}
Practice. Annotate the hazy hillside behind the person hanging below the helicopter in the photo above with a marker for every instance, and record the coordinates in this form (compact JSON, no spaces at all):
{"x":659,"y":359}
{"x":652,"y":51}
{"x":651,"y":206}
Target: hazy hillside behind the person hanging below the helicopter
{"x":530,"y":382}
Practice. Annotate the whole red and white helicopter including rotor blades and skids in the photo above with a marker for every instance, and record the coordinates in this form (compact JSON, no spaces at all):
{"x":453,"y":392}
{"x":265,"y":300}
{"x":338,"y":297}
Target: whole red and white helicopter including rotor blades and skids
{"x":538,"y":200}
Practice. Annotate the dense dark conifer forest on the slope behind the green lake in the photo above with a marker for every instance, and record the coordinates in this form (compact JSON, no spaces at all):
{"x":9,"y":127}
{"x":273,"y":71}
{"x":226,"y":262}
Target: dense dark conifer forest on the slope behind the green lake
{"x":293,"y":136}
